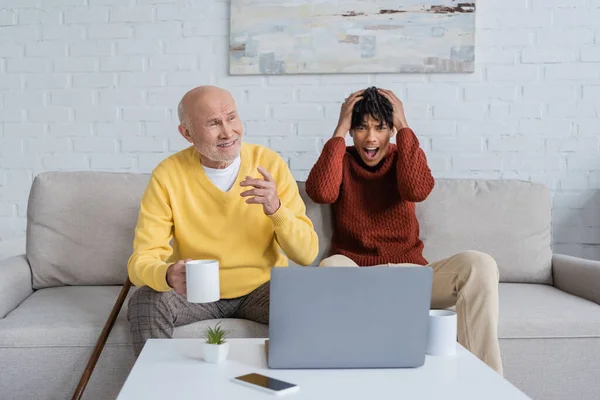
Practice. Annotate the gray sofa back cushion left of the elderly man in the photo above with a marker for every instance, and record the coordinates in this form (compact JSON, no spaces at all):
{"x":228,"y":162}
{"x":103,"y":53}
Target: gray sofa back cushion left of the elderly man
{"x":80,"y":227}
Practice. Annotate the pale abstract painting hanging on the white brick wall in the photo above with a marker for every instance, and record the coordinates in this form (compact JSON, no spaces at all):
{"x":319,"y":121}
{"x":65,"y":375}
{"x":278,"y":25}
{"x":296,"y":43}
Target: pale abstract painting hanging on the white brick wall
{"x":362,"y":36}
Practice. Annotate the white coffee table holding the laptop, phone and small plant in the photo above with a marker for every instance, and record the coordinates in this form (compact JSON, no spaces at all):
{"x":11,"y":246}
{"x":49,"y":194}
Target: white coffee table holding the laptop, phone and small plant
{"x":174,"y":368}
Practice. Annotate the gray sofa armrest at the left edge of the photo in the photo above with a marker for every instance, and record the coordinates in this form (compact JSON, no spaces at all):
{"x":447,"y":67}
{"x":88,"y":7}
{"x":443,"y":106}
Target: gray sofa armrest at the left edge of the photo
{"x":15,"y":283}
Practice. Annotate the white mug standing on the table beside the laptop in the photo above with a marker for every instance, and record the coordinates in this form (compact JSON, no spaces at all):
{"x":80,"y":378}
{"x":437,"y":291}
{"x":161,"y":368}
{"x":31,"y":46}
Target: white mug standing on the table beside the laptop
{"x":441,"y":339}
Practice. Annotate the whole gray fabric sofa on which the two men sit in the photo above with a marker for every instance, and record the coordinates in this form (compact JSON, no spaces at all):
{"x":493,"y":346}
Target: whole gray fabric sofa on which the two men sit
{"x":54,"y":300}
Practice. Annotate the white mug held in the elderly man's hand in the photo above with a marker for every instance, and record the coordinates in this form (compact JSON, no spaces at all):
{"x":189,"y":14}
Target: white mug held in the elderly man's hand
{"x":202,"y":281}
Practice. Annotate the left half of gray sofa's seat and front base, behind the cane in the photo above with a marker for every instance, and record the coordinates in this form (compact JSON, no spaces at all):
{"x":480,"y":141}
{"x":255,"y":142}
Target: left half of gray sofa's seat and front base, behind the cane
{"x":61,"y":325}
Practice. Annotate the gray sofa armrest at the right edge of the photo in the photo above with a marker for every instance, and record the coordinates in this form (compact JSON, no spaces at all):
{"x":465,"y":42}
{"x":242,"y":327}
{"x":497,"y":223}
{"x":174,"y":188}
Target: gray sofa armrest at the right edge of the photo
{"x":577,"y":276}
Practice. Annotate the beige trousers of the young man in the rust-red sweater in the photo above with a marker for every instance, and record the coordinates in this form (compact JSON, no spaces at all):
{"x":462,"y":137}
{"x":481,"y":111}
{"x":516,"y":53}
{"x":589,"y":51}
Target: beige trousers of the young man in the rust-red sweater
{"x":469,"y":281}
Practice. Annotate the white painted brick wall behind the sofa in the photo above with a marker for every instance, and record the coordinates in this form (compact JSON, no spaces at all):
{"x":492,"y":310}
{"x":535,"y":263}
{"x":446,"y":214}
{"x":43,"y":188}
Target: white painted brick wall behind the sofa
{"x":93,"y":85}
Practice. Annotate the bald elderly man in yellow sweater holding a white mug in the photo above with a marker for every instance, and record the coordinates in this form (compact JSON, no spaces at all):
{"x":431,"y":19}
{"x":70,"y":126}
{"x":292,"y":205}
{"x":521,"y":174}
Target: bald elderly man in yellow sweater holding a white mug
{"x":218,"y":199}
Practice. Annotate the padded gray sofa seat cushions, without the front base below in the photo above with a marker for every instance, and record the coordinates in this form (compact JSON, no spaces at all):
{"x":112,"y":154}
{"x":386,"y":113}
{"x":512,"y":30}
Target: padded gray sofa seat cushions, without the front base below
{"x":74,"y":316}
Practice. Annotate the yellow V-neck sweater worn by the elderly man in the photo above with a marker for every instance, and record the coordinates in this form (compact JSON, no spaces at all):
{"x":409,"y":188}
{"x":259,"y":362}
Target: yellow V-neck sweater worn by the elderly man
{"x":183,"y":215}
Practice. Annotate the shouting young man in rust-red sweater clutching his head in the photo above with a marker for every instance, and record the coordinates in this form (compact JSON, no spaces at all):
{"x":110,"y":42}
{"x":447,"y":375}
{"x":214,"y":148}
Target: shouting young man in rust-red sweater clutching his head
{"x":373,"y":187}
